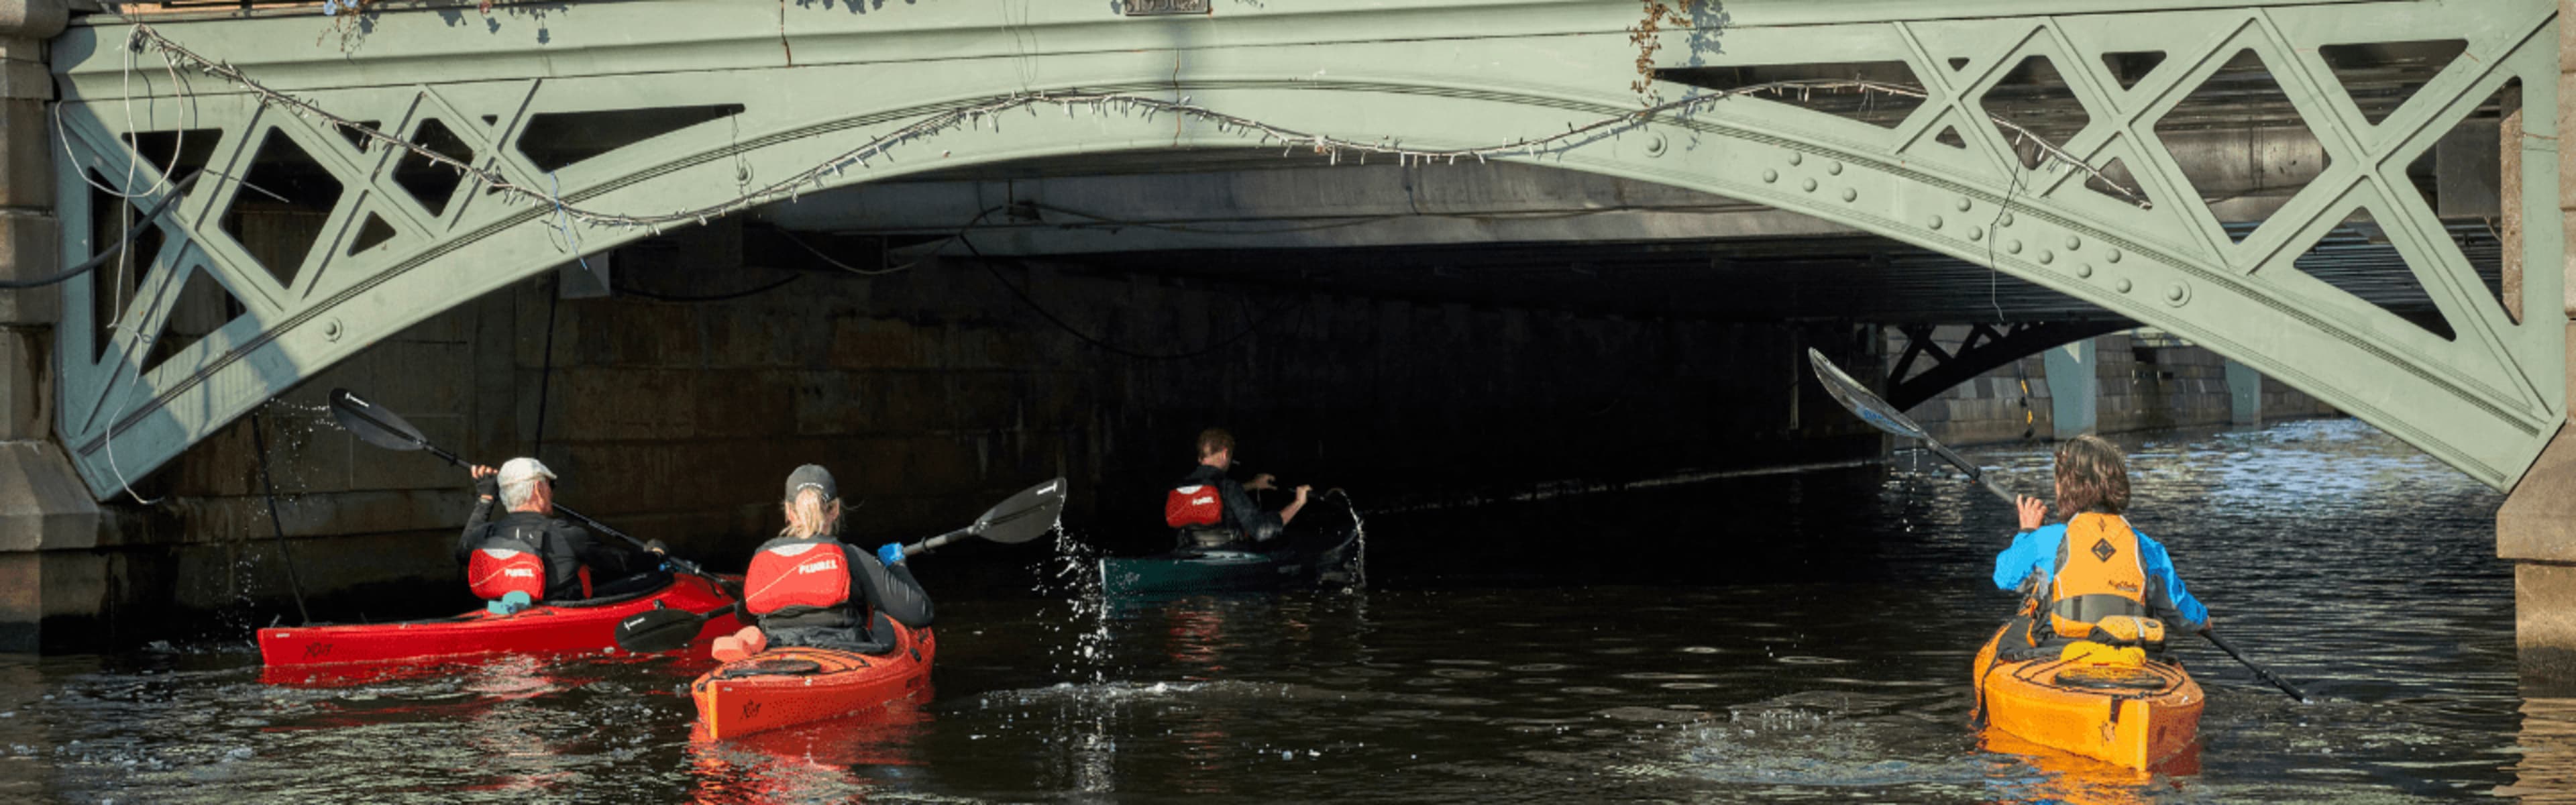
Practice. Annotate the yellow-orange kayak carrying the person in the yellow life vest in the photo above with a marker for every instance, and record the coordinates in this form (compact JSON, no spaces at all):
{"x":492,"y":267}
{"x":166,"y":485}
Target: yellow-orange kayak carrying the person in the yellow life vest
{"x":2132,"y":716}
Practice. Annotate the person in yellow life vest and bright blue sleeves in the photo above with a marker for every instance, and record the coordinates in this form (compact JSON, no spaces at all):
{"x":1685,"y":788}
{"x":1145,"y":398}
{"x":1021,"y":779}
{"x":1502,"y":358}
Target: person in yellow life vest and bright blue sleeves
{"x":2093,"y":566}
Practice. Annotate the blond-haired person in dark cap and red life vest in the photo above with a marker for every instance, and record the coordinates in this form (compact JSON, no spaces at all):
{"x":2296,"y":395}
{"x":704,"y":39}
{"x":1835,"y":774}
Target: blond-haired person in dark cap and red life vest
{"x":813,"y":590}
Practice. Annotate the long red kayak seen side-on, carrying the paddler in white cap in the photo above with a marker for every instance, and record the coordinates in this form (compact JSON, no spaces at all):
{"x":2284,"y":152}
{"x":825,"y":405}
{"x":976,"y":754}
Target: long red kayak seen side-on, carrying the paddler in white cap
{"x":547,"y":628}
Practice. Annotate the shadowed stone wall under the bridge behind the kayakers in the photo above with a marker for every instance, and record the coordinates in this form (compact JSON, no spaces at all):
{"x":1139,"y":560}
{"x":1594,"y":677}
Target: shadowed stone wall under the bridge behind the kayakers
{"x":934,"y":393}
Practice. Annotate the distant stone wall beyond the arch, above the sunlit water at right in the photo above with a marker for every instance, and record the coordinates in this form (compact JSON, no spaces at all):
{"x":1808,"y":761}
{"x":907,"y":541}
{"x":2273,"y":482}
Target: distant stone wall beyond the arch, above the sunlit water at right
{"x":2145,"y":386}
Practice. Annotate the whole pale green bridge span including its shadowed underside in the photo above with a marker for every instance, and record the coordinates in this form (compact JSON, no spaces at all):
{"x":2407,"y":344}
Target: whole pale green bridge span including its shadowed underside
{"x":1975,"y":166}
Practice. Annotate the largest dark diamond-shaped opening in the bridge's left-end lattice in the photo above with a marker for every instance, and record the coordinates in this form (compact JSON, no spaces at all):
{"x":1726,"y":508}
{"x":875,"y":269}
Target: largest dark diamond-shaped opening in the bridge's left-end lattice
{"x":279,"y":210}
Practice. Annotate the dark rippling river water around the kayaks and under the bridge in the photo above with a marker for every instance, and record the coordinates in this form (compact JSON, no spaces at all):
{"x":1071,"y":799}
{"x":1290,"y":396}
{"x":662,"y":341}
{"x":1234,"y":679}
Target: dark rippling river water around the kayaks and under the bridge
{"x":1774,"y":639}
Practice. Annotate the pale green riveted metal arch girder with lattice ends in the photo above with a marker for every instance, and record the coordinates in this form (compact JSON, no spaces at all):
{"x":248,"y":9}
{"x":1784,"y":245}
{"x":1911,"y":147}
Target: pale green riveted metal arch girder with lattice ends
{"x":2485,"y":401}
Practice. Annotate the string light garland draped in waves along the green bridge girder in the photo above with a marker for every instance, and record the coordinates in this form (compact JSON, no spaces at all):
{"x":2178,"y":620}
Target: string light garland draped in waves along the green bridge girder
{"x":1070,"y":102}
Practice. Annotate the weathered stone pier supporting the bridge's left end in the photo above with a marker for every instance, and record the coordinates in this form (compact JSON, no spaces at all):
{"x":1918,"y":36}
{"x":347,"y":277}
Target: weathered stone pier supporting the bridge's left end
{"x":43,"y":502}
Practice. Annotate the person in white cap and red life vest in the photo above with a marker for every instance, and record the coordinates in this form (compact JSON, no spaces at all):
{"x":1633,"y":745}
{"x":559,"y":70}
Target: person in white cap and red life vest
{"x":529,"y":556}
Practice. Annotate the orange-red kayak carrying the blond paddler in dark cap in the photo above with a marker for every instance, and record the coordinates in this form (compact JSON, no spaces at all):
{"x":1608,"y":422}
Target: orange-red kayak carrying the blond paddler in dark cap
{"x":800,"y":685}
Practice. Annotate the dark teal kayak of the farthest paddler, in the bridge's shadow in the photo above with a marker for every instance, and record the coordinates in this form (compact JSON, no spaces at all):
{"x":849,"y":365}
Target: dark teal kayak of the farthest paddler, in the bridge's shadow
{"x":1310,"y":556}
